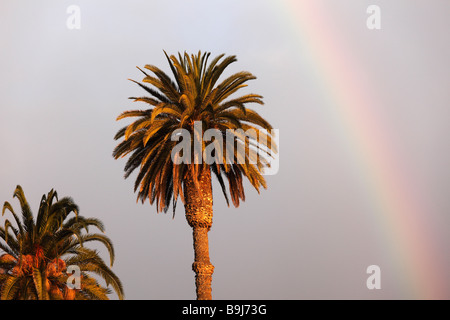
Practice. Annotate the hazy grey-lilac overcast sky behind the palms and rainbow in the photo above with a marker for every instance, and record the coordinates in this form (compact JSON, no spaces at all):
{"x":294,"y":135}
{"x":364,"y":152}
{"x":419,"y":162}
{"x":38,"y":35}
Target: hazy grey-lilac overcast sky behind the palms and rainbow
{"x":319,"y":225}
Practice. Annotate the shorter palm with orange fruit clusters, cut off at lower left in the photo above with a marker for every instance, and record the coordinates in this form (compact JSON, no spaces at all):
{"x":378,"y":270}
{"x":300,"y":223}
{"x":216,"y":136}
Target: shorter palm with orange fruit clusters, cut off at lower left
{"x":38,"y":254}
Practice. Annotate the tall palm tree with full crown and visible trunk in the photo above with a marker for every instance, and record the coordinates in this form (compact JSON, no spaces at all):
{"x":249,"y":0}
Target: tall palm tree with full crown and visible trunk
{"x":193,"y":102}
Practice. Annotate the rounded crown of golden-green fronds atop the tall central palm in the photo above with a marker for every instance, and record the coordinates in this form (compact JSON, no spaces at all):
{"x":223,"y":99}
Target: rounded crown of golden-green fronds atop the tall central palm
{"x":177,"y":104}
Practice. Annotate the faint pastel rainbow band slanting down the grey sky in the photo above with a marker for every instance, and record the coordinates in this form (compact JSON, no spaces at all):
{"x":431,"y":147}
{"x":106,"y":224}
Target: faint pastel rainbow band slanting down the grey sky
{"x":401,"y":213}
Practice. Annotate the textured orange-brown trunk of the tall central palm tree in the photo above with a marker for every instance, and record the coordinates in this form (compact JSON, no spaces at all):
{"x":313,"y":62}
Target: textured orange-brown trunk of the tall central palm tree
{"x":198,"y":207}
